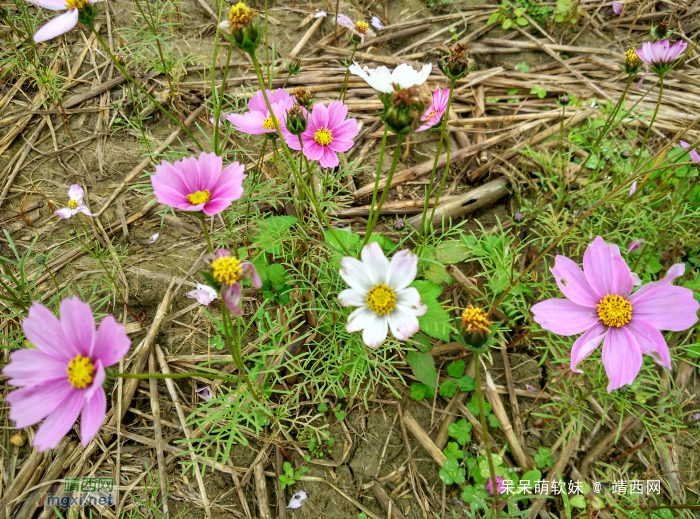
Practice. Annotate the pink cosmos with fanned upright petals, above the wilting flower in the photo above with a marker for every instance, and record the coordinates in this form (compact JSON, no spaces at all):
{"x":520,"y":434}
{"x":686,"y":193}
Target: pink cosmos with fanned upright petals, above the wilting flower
{"x":198,"y":184}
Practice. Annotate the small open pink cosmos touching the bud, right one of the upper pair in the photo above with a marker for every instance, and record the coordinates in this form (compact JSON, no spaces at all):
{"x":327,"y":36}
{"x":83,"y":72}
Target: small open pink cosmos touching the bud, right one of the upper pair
{"x":327,"y":134}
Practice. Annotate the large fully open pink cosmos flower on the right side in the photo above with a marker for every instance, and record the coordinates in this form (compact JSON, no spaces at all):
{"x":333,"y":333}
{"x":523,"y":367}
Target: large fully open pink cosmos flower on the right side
{"x":599,"y":301}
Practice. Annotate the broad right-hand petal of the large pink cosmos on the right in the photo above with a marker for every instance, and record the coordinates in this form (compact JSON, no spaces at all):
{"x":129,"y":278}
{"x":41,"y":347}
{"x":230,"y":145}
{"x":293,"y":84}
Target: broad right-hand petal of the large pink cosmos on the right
{"x":664,"y":306}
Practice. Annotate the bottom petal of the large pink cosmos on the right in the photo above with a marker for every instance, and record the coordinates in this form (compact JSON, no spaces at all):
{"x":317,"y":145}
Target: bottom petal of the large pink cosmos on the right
{"x":622,"y":357}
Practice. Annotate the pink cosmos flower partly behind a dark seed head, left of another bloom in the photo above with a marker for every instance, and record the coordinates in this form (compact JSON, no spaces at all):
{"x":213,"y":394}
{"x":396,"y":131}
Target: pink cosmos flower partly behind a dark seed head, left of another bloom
{"x":258,"y":120}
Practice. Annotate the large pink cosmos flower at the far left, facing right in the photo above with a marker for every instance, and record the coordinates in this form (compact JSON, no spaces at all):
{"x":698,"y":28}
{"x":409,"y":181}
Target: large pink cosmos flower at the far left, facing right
{"x":62,"y":378}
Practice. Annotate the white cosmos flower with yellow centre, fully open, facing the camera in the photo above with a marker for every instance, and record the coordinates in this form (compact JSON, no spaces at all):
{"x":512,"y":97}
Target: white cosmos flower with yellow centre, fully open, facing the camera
{"x":380,"y":290}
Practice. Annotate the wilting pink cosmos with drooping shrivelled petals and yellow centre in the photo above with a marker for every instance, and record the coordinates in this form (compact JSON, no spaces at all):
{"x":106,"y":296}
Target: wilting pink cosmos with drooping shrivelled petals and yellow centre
{"x":230,"y":271}
